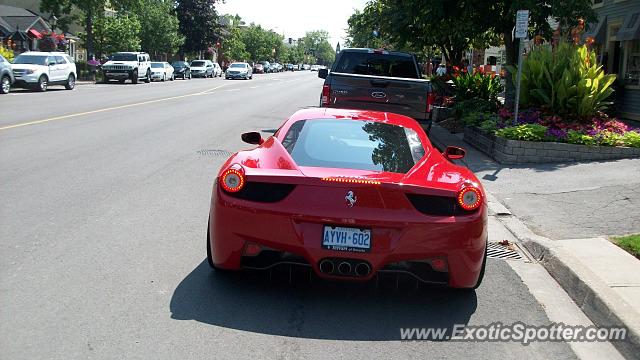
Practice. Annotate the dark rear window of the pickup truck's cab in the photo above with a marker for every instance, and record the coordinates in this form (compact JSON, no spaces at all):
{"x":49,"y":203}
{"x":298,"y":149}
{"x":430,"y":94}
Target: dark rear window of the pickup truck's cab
{"x":364,"y":63}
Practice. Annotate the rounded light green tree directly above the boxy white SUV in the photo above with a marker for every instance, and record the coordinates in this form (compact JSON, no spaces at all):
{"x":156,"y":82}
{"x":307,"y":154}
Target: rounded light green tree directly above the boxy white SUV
{"x":116,"y":33}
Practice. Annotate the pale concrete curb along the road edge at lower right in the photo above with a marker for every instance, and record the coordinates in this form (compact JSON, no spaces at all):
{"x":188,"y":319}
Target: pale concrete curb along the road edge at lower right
{"x":601,"y":304}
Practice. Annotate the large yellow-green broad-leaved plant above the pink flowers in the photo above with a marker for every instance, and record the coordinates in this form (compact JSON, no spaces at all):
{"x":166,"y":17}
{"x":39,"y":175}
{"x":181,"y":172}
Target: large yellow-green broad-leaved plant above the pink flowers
{"x":567,"y":81}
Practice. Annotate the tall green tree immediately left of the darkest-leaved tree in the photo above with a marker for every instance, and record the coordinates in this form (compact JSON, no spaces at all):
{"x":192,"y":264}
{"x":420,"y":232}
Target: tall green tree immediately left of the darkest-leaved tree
{"x":160,"y":31}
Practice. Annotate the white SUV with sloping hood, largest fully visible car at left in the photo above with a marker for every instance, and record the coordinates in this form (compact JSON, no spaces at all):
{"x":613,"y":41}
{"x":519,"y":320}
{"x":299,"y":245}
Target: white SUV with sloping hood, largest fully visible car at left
{"x":38,"y":70}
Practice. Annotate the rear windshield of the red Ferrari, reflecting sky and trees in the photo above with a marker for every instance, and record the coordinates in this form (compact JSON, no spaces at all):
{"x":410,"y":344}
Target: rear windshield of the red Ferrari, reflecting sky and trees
{"x":353,"y":144}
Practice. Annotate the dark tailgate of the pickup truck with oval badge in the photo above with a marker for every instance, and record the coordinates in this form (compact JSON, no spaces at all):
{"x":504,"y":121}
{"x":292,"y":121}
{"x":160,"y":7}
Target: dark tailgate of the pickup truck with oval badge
{"x":397,"y":95}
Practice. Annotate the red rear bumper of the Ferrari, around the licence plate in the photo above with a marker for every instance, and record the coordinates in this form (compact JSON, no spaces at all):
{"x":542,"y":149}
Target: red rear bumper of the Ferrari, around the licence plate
{"x":400,"y":246}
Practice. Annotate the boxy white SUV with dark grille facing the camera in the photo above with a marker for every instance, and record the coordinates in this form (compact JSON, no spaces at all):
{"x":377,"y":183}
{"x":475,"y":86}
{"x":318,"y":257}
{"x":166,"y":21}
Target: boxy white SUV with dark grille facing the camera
{"x":127,"y":65}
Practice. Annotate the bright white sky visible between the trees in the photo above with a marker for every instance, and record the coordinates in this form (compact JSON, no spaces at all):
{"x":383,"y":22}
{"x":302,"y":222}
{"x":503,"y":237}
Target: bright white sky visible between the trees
{"x":293,"y":18}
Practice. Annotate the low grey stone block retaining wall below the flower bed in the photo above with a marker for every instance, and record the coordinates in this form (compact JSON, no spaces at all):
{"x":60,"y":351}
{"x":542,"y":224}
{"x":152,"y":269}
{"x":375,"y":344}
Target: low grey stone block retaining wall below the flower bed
{"x":525,"y":152}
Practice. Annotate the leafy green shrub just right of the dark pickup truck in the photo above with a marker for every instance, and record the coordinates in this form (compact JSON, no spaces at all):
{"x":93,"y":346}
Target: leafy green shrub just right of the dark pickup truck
{"x":477,"y":86}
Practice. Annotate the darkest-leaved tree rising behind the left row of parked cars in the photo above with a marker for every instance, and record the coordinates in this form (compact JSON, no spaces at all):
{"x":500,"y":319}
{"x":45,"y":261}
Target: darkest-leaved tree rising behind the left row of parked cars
{"x":198,"y":23}
